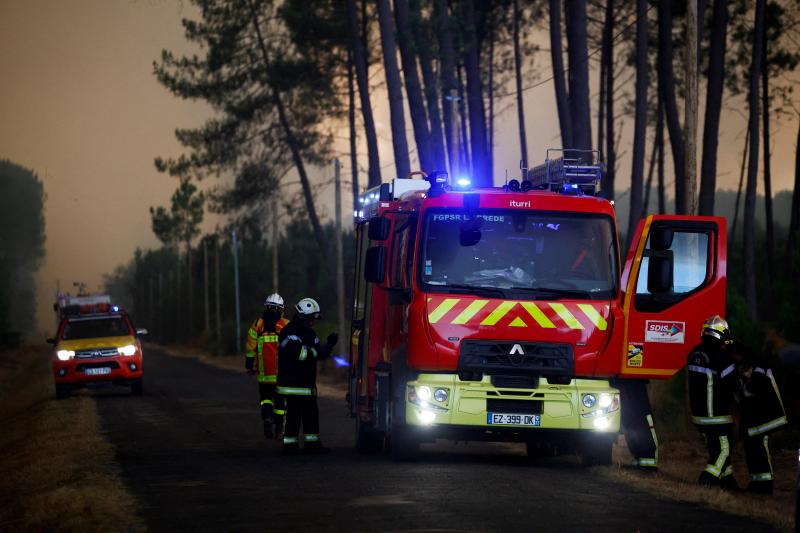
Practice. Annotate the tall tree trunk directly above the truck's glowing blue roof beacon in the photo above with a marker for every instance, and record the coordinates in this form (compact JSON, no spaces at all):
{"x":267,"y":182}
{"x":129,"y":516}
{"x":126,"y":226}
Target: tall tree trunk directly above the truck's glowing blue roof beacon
{"x":448,"y":74}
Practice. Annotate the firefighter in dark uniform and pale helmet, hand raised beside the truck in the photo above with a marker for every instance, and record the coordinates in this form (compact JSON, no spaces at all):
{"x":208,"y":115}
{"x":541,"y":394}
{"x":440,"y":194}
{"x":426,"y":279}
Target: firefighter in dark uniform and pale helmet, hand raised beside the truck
{"x":298,"y":352}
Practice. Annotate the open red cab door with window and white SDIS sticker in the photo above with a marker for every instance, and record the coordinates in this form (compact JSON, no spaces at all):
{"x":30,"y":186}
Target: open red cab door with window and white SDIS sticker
{"x":674,"y":278}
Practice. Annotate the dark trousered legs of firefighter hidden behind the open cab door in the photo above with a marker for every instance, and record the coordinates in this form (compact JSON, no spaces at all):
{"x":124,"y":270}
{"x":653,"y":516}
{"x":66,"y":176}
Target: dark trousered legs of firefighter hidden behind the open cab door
{"x":637,"y":422}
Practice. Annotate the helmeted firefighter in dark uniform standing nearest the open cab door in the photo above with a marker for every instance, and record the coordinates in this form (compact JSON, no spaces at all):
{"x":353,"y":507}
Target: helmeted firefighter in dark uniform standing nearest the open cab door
{"x":710,"y":400}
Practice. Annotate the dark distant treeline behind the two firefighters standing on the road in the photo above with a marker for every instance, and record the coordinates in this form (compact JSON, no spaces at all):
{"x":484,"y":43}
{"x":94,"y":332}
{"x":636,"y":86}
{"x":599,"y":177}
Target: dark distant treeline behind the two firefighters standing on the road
{"x":168,"y":299}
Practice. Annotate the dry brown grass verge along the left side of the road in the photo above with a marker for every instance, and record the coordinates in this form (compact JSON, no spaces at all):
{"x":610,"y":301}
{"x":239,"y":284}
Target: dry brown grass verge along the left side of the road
{"x":57,"y":469}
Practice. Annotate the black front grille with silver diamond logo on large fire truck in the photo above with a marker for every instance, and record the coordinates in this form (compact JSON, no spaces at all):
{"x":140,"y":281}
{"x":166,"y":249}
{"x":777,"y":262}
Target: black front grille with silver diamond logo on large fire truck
{"x":516,"y":358}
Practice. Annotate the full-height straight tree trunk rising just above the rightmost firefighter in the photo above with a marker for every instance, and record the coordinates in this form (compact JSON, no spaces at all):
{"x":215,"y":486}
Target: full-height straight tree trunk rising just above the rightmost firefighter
{"x":752,"y":168}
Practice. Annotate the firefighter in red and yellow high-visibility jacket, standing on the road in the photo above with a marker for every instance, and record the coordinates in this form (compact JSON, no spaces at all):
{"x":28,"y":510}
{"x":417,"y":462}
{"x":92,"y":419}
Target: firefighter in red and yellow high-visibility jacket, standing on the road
{"x":261,"y":357}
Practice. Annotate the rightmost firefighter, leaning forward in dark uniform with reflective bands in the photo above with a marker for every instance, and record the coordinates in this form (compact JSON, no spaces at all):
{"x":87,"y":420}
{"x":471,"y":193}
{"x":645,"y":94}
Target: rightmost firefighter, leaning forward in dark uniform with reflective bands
{"x":762,"y":413}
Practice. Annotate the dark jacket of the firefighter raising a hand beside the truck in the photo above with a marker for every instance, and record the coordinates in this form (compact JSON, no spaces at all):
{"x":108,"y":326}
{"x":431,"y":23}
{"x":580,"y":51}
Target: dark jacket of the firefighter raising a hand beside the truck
{"x":299,"y":350}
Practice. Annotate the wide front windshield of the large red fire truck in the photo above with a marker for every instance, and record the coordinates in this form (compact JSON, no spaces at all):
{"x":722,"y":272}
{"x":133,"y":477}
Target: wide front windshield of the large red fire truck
{"x":520,"y":254}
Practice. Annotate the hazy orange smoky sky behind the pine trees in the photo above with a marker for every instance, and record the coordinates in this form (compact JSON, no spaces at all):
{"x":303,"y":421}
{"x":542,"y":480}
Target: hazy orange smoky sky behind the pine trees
{"x":80,"y":106}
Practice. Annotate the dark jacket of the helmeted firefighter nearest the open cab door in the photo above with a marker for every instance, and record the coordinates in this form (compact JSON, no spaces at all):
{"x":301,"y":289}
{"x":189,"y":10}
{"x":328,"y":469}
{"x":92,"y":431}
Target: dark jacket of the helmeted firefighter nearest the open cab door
{"x":710,"y":396}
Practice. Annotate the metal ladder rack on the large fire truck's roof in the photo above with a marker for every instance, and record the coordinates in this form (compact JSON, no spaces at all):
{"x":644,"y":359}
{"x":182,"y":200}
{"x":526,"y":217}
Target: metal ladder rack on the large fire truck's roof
{"x":578,"y":170}
